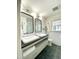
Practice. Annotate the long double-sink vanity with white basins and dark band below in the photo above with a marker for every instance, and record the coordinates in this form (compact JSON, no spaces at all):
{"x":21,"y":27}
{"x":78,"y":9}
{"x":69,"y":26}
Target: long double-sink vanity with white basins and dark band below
{"x":33,"y":45}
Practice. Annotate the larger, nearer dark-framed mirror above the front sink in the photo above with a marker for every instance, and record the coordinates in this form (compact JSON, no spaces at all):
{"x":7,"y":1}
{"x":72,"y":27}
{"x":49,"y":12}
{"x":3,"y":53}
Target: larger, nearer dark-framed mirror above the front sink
{"x":26,"y":23}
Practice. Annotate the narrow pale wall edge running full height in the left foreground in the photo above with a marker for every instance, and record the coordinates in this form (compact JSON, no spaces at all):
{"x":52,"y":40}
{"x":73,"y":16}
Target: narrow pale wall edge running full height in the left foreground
{"x":19,"y":51}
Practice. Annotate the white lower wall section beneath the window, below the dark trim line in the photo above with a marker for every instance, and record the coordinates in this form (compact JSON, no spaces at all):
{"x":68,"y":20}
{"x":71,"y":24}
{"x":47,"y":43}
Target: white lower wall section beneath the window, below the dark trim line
{"x":55,"y":37}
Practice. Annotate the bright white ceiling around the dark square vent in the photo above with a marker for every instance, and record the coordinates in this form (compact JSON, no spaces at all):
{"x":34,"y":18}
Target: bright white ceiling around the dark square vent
{"x":41,"y":7}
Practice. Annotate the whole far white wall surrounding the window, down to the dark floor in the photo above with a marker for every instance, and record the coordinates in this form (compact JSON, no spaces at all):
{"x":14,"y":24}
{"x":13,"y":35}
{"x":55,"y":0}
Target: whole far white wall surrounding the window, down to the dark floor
{"x":54,"y":37}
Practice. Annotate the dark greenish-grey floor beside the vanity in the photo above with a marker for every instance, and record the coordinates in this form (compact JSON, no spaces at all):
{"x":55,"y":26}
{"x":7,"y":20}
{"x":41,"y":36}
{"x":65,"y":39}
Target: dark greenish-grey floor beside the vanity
{"x":50,"y":52}
